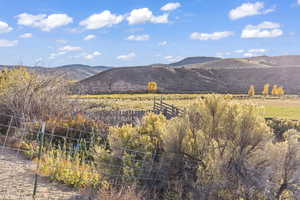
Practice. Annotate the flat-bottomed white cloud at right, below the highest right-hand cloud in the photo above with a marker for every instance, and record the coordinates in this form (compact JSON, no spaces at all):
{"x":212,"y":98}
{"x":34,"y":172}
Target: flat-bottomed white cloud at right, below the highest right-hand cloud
{"x":263,"y":30}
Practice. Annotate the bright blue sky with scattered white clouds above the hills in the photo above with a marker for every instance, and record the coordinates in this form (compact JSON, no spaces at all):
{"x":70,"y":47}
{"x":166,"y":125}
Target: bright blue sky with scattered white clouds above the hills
{"x":141,"y":32}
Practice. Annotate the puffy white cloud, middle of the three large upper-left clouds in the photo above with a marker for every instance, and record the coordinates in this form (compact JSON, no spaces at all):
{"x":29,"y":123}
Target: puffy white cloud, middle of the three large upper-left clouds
{"x":100,"y":20}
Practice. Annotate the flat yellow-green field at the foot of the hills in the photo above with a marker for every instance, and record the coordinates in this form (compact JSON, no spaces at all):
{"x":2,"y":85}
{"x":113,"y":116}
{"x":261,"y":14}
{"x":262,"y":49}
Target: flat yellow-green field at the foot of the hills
{"x":287,"y":107}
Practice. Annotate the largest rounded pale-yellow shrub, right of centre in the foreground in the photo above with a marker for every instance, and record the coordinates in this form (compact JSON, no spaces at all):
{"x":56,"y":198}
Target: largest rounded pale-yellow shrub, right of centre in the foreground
{"x":213,"y":144}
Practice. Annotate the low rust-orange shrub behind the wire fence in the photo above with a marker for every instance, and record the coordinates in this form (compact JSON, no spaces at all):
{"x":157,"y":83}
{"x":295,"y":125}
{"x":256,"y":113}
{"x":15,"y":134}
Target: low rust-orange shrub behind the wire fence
{"x":71,"y":131}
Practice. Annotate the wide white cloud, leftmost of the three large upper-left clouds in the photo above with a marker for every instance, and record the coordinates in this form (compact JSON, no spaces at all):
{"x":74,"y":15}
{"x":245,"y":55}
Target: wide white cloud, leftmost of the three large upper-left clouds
{"x":44,"y":22}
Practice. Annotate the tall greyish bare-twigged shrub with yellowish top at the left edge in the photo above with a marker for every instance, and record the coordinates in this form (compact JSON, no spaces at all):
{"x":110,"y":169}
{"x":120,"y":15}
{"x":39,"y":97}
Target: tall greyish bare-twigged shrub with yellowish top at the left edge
{"x":28,"y":96}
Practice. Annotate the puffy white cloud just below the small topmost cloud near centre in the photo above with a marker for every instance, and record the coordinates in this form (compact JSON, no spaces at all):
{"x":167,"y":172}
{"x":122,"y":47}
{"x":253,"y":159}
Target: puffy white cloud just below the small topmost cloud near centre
{"x":143,"y":15}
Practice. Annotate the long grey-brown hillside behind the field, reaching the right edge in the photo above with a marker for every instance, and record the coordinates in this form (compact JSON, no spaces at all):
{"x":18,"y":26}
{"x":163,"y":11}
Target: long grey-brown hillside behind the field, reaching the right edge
{"x":219,"y":76}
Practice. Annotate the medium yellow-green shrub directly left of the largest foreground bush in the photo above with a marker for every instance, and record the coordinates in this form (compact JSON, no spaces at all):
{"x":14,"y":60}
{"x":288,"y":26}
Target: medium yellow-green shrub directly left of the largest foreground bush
{"x":134,"y":152}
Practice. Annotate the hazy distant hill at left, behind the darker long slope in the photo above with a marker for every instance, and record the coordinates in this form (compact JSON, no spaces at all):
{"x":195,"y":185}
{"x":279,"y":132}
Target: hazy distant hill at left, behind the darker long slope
{"x":70,"y":72}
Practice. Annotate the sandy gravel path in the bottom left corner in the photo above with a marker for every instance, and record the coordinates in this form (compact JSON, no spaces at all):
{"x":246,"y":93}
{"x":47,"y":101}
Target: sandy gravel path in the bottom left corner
{"x":17,"y":180}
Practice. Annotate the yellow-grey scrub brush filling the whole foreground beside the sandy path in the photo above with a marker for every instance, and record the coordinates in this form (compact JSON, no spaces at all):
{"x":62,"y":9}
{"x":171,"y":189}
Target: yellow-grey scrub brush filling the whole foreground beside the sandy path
{"x":220,"y":148}
